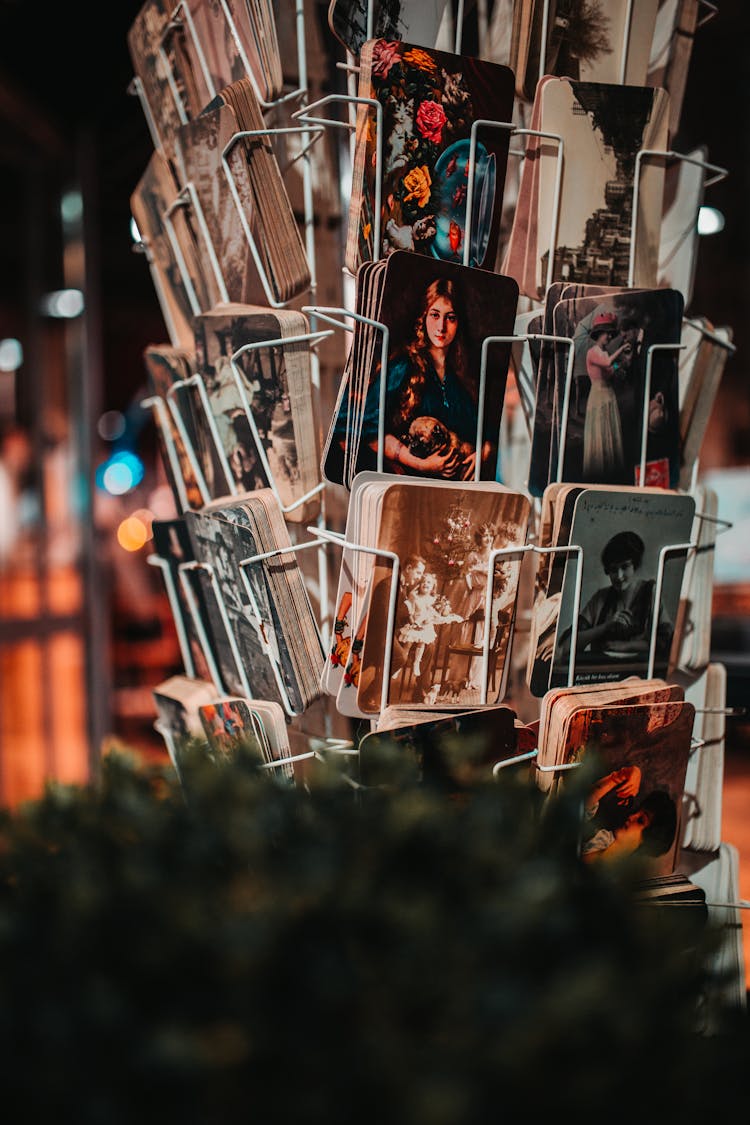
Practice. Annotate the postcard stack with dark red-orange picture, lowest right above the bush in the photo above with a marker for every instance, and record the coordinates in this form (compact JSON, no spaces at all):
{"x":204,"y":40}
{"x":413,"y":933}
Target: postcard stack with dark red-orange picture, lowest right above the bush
{"x":637,"y":741}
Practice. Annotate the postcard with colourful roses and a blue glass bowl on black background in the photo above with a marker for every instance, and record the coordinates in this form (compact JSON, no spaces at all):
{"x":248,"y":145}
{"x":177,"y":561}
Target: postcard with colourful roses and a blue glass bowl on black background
{"x":415,"y":146}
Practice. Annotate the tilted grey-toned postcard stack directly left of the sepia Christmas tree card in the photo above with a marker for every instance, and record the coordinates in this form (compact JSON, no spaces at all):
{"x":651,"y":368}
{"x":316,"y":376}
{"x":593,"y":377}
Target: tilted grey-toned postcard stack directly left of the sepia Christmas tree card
{"x":266,"y":637}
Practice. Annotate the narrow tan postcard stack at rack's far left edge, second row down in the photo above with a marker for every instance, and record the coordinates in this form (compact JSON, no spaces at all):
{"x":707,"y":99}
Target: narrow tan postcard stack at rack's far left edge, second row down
{"x":183,"y":281}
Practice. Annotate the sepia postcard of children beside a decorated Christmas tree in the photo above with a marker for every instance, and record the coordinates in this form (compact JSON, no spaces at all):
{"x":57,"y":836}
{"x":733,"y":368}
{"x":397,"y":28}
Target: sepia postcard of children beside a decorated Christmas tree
{"x":442,"y":646}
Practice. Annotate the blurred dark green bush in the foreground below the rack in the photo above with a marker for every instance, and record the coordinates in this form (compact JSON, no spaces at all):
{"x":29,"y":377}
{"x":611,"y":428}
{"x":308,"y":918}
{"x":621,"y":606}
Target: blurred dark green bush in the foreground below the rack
{"x":242,"y":950}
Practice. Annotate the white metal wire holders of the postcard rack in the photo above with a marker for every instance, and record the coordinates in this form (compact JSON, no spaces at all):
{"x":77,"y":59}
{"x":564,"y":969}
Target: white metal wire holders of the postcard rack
{"x":310,"y":125}
